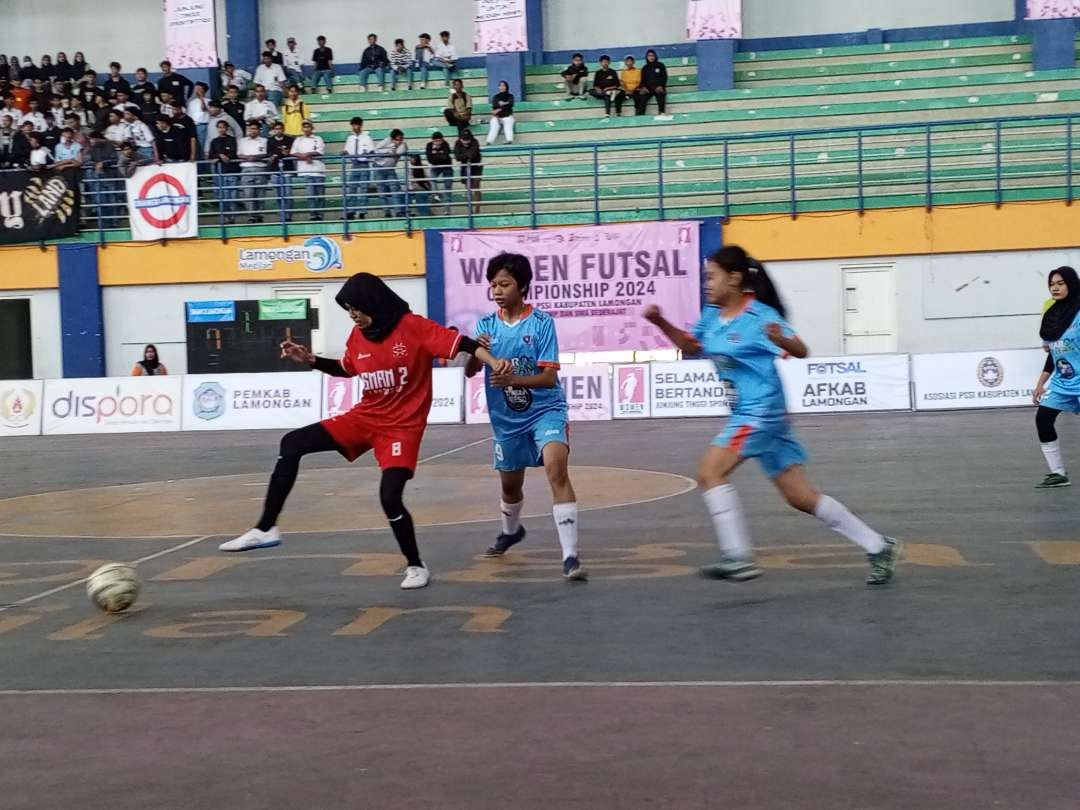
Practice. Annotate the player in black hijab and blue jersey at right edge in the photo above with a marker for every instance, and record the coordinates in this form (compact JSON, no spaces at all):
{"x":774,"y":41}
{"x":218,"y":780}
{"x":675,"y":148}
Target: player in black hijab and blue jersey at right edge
{"x":1061,"y":337}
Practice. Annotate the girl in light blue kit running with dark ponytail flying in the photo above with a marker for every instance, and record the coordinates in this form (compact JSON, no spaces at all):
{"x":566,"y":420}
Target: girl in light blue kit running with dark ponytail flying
{"x":744,"y":331}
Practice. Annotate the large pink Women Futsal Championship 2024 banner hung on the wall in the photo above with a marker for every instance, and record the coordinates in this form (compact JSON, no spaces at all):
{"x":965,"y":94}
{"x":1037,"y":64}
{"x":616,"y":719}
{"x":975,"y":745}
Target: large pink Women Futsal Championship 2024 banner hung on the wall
{"x":596,"y":281}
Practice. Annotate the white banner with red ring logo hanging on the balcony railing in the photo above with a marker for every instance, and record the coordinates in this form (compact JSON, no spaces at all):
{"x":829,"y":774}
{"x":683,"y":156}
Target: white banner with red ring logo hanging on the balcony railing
{"x":164,"y":202}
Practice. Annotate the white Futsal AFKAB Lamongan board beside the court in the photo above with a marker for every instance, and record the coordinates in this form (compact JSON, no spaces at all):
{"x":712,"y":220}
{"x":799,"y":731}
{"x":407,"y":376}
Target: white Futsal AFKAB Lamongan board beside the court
{"x":855,"y":383}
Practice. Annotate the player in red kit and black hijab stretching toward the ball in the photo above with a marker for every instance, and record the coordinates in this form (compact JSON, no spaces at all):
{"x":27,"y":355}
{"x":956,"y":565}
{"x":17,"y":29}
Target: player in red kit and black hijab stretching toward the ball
{"x":391,"y":350}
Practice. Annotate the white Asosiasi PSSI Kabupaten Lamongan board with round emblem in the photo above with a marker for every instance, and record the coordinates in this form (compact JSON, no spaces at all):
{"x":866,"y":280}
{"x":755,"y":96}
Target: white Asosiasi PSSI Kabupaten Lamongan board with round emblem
{"x":976,"y":380}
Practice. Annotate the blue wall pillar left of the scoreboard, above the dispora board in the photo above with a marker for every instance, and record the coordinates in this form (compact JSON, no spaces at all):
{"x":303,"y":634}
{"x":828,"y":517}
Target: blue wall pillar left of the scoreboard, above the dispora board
{"x":83,"y":319}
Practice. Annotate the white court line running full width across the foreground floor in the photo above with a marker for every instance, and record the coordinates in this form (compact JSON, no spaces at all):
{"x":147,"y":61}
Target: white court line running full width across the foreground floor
{"x":551,"y":685}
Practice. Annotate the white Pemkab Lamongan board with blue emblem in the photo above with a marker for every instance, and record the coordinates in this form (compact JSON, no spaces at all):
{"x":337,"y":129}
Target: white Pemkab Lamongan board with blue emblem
{"x":252,"y":401}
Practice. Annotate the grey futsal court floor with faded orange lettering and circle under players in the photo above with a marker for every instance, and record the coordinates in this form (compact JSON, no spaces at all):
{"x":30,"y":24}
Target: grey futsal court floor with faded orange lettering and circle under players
{"x":304,"y":678}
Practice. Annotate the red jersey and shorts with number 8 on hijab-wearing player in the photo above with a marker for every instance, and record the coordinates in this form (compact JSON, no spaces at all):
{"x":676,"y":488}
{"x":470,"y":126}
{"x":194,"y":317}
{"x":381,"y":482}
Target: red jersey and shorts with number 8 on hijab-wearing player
{"x":396,"y":390}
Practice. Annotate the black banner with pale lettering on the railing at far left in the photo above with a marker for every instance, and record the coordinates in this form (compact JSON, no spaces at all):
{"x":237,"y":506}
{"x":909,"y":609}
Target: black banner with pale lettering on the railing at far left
{"x":38,"y":206}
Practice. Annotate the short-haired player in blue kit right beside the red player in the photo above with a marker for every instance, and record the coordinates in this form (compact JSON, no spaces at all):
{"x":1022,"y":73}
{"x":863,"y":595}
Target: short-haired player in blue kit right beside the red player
{"x":528,"y":408}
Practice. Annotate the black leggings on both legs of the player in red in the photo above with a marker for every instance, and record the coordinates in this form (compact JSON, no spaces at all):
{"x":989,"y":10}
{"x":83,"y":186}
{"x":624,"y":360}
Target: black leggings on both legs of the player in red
{"x":315,"y":439}
